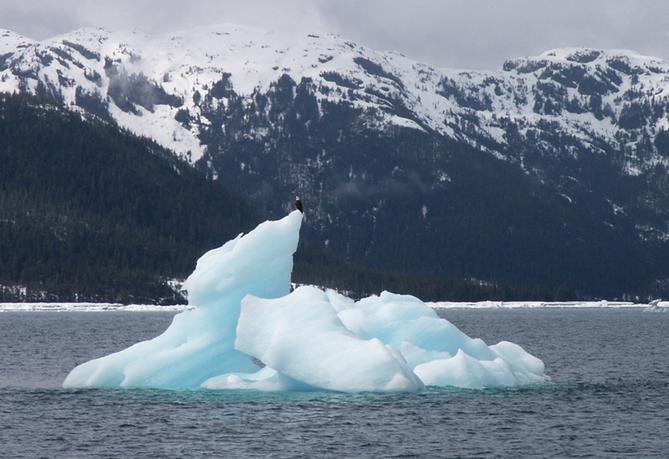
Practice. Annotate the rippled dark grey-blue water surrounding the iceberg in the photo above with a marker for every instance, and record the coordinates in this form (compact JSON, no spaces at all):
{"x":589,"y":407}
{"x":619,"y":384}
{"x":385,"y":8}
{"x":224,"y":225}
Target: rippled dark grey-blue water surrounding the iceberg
{"x":609,"y":397}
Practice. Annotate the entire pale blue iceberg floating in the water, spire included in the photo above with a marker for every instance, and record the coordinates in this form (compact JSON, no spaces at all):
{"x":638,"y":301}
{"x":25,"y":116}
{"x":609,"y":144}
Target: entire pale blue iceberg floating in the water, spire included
{"x":246,"y":330}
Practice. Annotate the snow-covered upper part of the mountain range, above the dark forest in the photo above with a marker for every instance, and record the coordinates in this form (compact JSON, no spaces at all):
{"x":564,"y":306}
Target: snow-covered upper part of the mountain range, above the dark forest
{"x":590,"y":95}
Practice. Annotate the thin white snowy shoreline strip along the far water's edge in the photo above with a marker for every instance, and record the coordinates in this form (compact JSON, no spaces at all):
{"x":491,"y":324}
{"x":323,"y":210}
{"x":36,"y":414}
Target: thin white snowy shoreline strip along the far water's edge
{"x":117,"y":307}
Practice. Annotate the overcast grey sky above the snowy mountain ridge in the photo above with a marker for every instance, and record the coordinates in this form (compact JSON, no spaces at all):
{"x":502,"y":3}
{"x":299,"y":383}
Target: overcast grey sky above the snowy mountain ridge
{"x":449,"y":33}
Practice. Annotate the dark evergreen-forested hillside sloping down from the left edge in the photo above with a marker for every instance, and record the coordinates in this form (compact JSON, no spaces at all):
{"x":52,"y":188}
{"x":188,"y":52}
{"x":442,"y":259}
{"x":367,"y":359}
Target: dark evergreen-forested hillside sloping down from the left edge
{"x":90,"y":212}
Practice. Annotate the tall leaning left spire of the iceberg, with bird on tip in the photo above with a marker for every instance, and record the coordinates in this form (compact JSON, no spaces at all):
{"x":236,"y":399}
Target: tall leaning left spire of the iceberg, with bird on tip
{"x":199,"y":343}
